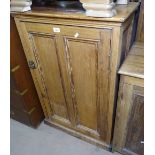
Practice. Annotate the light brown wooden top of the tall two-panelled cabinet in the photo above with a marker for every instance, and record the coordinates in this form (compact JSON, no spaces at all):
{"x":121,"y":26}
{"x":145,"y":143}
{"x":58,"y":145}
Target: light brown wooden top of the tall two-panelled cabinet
{"x":123,"y":13}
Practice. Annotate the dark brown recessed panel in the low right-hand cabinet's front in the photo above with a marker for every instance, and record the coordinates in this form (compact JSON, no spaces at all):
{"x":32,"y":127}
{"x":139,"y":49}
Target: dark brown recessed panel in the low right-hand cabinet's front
{"x":135,"y":133}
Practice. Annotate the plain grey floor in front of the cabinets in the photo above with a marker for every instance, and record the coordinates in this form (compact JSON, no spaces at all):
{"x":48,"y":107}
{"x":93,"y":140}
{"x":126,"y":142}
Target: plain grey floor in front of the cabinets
{"x":46,"y":140}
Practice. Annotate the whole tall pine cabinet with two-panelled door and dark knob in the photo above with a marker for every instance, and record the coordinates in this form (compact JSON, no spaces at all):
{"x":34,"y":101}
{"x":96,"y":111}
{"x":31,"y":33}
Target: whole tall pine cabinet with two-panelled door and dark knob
{"x":74,"y":61}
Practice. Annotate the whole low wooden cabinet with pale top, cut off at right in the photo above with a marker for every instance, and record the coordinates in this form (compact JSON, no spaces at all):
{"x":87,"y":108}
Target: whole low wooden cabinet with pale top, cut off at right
{"x":129,"y":126}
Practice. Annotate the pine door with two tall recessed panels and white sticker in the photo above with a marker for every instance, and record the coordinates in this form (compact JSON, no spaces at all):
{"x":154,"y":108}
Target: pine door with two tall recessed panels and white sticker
{"x":73,"y":64}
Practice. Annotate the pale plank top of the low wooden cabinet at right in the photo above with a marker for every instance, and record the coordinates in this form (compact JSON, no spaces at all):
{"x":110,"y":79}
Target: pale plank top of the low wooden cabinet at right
{"x":134,"y":63}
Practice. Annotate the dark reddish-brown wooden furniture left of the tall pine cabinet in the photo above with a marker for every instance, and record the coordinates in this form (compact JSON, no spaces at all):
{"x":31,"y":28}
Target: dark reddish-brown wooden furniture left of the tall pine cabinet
{"x":25,"y":104}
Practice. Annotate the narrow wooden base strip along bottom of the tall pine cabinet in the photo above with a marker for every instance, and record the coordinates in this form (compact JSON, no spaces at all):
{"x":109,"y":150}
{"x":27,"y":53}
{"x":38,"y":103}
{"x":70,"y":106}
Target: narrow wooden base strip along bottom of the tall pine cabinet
{"x":79,"y":135}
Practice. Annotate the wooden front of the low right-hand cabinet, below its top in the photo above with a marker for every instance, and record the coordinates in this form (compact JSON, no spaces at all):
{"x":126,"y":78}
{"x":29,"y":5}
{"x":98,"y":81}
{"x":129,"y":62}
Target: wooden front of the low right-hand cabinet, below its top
{"x":129,"y":128}
